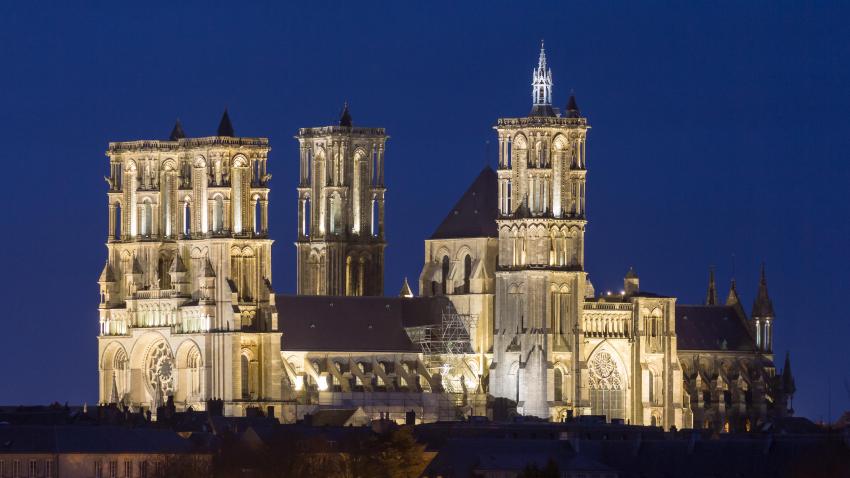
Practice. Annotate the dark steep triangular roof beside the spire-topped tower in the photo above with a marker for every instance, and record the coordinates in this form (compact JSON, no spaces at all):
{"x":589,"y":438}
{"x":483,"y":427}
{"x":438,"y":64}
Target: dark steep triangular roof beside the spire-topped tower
{"x":475,"y":213}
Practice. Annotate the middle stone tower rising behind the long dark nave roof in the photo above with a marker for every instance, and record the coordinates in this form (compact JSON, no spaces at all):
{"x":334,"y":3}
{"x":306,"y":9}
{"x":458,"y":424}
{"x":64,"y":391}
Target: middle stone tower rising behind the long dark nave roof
{"x":341,"y":210}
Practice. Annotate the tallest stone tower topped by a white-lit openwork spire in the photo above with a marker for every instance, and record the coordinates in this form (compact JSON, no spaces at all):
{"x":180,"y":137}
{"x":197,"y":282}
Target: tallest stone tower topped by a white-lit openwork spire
{"x":540,"y":278}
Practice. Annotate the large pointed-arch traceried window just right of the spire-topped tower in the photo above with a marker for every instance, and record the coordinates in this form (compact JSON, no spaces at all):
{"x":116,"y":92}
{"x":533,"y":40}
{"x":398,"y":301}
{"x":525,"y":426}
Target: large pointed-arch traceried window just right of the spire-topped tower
{"x":607,"y":395}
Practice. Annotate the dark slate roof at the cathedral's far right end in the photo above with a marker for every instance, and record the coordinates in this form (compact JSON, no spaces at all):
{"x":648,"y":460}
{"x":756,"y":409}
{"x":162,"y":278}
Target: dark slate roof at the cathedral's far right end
{"x":704,"y":327}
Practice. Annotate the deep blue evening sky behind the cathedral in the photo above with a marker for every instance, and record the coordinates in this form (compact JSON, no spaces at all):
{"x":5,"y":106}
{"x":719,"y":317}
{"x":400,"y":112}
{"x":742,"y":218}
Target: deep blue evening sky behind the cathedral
{"x":717,"y":130}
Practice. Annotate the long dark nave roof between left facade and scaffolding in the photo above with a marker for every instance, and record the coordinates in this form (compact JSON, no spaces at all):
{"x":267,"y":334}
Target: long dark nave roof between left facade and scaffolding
{"x":354,"y":324}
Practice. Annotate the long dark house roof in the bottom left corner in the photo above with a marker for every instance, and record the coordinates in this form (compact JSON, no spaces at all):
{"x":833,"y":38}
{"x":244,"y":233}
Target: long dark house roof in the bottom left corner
{"x":91,"y":439}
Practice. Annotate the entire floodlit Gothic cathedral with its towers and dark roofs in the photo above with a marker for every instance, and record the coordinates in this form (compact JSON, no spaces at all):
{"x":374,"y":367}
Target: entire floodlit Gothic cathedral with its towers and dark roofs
{"x":506,"y":320}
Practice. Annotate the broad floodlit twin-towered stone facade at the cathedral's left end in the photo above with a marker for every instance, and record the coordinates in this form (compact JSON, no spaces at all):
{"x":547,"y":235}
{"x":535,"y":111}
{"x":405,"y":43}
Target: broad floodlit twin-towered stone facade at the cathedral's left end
{"x":186,"y":306}
